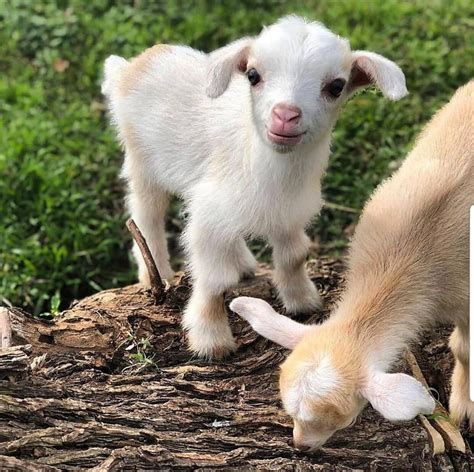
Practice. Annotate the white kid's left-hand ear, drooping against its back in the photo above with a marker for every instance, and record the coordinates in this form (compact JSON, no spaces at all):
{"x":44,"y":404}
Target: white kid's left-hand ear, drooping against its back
{"x":223,"y":62}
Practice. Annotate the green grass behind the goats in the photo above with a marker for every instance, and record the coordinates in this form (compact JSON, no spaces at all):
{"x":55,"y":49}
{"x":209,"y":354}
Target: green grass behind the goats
{"x":61,"y":213}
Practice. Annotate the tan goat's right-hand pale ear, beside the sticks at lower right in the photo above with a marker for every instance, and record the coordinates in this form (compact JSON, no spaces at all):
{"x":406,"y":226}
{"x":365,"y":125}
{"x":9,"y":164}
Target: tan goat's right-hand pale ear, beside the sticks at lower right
{"x":398,"y":397}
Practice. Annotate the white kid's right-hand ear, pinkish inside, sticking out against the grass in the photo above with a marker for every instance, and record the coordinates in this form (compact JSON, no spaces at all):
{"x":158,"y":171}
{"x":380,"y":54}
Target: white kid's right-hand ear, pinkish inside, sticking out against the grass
{"x":370,"y":68}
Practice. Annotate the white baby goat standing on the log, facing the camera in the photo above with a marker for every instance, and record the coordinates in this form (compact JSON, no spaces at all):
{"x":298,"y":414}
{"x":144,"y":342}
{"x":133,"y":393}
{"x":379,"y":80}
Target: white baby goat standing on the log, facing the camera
{"x":242,"y":134}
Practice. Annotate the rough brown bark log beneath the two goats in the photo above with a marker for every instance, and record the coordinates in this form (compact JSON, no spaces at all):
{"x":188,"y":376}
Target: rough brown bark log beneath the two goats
{"x":109,"y":385}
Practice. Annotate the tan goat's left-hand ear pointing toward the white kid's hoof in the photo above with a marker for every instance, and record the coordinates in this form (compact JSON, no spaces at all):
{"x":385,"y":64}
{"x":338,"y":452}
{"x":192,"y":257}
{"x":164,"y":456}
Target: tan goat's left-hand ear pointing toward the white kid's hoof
{"x":267,"y":322}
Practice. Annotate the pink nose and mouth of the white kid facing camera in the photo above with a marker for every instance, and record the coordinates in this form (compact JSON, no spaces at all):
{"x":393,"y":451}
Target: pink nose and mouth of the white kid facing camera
{"x":284,"y":125}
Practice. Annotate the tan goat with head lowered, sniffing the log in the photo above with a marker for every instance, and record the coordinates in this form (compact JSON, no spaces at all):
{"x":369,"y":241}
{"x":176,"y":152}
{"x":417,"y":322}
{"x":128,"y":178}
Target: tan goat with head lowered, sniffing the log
{"x":408,"y":269}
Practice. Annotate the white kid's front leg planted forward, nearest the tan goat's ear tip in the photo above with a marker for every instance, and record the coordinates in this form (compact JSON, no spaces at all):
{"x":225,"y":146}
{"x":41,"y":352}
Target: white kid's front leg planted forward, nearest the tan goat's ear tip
{"x":214,"y":269}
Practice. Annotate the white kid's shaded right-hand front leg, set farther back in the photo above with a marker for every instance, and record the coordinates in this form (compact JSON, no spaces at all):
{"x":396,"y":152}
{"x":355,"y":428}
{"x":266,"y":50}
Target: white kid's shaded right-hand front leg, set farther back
{"x":295,"y":288}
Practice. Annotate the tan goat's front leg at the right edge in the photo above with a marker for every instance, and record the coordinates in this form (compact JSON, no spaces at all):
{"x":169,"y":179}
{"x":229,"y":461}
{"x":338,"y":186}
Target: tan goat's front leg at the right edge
{"x":460,"y":405}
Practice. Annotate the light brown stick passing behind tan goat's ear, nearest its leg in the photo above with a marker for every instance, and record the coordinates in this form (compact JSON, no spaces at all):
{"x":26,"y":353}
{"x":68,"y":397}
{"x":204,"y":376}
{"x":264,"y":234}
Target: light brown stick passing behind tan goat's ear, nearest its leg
{"x":451,"y":435}
